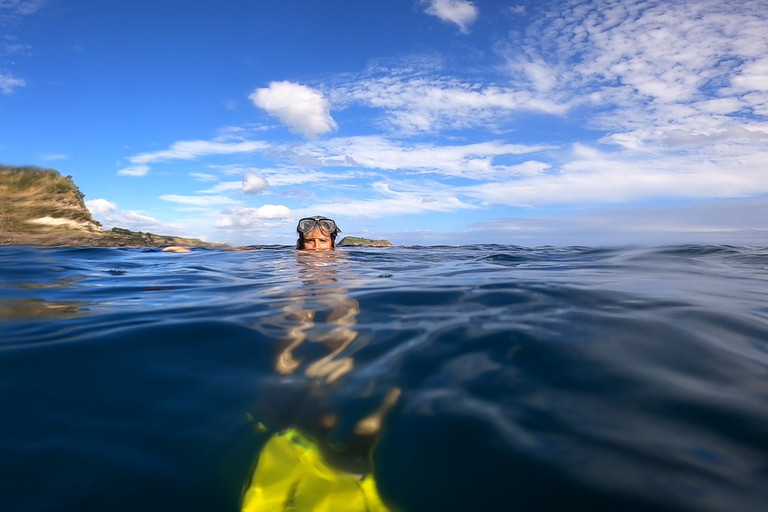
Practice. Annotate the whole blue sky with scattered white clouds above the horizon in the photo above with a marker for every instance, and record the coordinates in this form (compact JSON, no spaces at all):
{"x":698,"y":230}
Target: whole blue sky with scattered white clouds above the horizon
{"x":564,"y":122}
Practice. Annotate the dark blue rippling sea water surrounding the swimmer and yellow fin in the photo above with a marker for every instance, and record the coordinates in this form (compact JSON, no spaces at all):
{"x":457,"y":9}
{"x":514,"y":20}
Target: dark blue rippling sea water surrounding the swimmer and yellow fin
{"x":495,"y":377}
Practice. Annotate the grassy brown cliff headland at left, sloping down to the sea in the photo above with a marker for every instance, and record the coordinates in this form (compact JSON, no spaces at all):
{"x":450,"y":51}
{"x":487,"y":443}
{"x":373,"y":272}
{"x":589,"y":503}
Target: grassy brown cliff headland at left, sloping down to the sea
{"x":40,"y":207}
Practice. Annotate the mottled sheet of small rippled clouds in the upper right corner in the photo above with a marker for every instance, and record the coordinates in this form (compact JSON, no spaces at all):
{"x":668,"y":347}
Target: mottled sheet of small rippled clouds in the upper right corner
{"x":648,"y":67}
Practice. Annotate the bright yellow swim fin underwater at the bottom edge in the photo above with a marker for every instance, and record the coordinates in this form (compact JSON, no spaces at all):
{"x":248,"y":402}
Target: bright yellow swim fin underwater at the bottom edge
{"x":291,"y":476}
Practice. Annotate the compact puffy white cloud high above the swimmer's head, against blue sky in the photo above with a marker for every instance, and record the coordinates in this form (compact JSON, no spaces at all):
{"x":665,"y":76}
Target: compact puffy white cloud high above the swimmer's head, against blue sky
{"x":303,"y":110}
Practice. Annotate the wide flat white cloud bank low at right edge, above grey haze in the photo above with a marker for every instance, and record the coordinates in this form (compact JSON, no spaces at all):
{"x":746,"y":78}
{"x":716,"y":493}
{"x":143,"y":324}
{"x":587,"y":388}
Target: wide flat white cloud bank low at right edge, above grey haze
{"x":593,"y":177}
